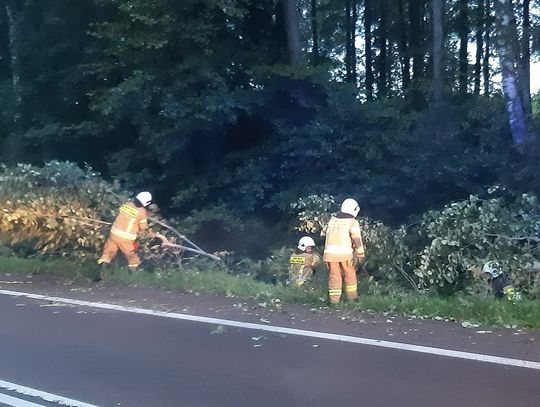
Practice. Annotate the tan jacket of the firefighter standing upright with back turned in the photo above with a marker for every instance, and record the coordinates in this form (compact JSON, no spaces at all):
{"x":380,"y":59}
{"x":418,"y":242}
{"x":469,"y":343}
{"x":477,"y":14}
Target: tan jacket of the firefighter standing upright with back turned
{"x":342,"y":239}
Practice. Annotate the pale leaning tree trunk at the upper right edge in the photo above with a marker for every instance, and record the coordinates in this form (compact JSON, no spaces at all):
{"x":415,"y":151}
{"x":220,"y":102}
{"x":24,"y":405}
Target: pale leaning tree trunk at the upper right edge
{"x":506,"y":45}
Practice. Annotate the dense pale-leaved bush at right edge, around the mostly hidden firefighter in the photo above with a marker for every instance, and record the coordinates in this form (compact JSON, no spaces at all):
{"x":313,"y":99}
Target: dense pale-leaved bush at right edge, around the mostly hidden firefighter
{"x":464,"y":235}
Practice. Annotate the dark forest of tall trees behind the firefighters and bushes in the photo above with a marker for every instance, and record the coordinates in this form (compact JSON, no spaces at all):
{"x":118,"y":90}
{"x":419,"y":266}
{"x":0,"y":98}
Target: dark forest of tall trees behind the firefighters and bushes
{"x":230,"y":110}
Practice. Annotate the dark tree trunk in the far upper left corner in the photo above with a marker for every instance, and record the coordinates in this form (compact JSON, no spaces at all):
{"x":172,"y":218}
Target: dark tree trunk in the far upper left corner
{"x":13,"y":21}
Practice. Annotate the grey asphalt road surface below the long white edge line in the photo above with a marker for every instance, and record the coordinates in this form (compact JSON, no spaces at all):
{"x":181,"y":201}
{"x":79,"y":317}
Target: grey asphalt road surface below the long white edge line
{"x":109,"y":358}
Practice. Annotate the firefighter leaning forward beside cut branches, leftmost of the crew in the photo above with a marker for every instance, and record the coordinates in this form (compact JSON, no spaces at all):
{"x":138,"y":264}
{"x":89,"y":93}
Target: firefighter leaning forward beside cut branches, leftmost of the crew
{"x":132,"y":218}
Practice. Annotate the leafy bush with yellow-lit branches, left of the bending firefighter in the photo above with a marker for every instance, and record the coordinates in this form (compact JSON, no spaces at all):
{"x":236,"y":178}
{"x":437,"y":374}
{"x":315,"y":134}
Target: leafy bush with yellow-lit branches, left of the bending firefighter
{"x":58,"y":209}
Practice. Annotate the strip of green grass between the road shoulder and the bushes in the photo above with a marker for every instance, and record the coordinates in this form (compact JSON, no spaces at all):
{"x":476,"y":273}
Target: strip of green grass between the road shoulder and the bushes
{"x":472,"y":310}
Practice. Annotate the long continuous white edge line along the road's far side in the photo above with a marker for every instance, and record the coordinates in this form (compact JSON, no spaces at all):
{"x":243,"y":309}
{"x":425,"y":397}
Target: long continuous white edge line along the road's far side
{"x":478,"y":357}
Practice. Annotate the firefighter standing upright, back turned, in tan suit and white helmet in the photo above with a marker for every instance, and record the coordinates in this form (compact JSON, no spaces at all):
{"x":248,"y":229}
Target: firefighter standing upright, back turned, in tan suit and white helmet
{"x":343,"y":242}
